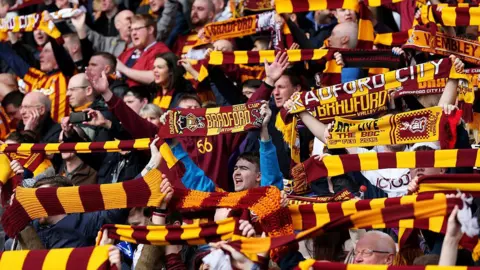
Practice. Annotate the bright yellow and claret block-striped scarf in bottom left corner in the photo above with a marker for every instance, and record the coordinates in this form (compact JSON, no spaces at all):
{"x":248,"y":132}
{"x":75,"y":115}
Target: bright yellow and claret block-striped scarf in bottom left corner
{"x":63,"y":258}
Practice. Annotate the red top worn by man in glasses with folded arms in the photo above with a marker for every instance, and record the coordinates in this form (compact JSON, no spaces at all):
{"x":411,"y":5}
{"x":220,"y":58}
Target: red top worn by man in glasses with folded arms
{"x":145,"y":62}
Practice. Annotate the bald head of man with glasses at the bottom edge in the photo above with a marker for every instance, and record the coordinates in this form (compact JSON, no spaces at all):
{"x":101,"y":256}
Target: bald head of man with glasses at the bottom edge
{"x":375,"y":247}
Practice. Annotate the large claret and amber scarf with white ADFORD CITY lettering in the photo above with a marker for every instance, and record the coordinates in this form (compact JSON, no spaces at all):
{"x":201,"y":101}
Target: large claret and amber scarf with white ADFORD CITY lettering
{"x":369,"y":95}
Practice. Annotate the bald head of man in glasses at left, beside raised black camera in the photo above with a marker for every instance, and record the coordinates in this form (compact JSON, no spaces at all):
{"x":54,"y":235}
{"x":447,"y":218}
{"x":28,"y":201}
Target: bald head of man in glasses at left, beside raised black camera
{"x":80,"y":91}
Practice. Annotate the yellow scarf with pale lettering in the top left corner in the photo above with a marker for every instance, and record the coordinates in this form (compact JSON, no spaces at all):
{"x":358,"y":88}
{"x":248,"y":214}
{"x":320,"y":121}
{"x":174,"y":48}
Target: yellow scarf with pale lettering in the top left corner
{"x":29,"y":23}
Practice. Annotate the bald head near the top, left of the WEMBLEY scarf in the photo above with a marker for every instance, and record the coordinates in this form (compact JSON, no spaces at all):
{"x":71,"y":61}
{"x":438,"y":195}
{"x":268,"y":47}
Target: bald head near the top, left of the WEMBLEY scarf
{"x":344,"y":36}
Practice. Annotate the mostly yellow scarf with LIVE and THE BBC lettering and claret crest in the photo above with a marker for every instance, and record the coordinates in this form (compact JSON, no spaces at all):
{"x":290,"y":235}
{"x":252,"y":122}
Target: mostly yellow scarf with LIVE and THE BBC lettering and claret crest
{"x":426,"y":125}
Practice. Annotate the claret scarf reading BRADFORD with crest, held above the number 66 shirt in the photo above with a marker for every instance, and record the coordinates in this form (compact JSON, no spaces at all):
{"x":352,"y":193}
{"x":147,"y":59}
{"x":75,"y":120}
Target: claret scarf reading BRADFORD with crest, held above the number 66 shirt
{"x":212,"y":121}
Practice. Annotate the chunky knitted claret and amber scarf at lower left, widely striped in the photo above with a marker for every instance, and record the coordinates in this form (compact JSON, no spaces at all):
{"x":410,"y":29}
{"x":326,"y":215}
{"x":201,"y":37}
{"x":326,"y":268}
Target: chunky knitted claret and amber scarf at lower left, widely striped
{"x":33,"y":203}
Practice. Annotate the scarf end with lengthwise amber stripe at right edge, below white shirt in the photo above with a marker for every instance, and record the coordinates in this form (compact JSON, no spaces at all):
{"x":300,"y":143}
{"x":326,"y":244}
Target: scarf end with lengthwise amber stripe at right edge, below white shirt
{"x":450,"y":183}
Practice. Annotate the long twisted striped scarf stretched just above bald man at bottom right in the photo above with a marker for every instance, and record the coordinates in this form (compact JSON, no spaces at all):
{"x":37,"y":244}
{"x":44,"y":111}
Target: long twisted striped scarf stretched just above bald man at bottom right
{"x":388,"y":216}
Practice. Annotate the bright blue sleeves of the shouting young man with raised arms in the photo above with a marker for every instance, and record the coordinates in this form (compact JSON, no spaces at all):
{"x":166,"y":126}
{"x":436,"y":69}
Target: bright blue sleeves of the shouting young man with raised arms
{"x":195,"y":178}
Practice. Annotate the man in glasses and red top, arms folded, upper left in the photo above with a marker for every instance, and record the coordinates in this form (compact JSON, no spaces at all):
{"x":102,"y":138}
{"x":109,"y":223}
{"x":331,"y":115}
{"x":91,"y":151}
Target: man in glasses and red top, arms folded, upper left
{"x":137,"y":63}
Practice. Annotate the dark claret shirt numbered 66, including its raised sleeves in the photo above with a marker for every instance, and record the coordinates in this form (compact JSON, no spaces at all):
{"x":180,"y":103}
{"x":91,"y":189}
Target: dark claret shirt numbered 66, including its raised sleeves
{"x":210,"y":153}
